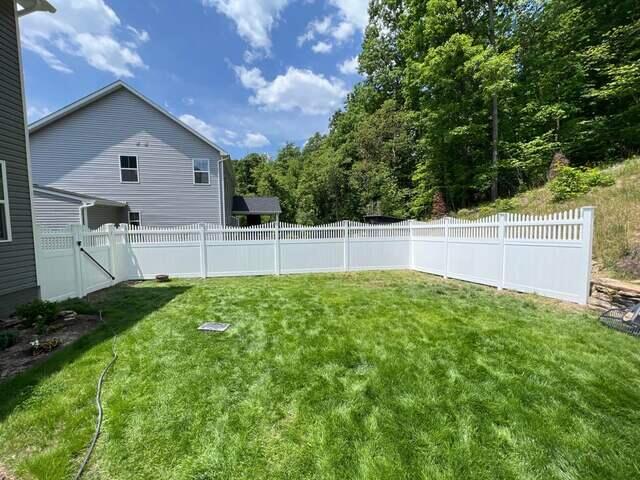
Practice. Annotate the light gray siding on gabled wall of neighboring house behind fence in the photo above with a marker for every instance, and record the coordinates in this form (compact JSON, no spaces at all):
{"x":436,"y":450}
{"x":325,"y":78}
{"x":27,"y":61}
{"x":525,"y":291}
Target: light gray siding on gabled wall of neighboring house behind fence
{"x":80,"y":153}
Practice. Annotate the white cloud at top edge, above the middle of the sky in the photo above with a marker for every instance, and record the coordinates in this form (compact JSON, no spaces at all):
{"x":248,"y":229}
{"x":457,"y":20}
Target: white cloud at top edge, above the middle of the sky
{"x":254,"y":19}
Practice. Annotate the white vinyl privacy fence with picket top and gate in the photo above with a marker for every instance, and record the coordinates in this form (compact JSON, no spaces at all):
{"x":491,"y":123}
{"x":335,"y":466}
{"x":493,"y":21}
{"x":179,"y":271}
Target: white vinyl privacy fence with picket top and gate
{"x":548,"y":255}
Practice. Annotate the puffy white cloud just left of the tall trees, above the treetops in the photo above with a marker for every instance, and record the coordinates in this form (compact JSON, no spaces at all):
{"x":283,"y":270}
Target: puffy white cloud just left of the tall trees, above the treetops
{"x":303,"y":90}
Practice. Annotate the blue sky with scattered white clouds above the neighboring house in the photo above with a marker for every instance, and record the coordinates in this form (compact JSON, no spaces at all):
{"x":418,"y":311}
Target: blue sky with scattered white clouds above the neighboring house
{"x":250,"y":74}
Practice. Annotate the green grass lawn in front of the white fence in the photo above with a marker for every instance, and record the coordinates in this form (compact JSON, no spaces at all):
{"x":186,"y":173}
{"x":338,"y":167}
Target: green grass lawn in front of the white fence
{"x":369,"y":375}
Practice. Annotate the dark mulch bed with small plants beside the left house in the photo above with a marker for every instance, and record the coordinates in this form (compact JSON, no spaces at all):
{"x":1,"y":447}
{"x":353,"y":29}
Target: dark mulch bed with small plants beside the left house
{"x":19,"y":357}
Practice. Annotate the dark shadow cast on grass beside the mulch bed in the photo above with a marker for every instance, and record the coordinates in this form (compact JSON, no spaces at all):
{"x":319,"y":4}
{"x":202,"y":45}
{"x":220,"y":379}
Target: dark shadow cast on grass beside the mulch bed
{"x":122,"y":307}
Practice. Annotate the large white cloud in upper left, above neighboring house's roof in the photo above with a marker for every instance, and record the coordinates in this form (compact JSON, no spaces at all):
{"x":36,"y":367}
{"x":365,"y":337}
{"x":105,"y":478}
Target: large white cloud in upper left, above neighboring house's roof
{"x":88,"y":29}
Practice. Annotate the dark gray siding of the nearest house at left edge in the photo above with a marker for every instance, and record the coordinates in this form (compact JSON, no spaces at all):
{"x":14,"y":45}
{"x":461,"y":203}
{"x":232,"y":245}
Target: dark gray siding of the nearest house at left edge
{"x":17,"y":258}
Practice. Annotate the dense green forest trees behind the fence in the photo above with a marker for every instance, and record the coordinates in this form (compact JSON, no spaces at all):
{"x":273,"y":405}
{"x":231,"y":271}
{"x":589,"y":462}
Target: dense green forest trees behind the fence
{"x":463,"y":101}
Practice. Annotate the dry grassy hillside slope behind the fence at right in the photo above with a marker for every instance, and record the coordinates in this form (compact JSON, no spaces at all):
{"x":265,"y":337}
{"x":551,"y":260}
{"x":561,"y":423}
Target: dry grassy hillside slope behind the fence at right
{"x":617,"y":231}
